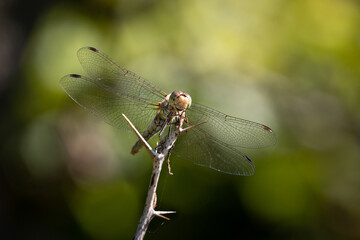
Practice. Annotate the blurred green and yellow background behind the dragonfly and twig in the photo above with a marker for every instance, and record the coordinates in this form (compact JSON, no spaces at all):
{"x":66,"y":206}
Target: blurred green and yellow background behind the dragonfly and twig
{"x":292,"y":65}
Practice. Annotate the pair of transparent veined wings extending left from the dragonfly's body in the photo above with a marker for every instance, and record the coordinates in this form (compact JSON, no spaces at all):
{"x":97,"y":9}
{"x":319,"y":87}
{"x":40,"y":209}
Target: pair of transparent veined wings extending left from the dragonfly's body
{"x":111,"y":90}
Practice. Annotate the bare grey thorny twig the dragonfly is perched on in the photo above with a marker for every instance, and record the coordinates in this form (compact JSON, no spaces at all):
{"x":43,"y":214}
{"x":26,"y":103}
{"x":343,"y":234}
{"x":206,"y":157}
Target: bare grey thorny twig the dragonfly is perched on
{"x":163,"y":149}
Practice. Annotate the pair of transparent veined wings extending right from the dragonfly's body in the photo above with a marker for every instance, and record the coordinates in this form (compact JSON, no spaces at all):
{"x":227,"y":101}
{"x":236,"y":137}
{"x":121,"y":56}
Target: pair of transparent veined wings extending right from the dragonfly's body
{"x":216,"y":143}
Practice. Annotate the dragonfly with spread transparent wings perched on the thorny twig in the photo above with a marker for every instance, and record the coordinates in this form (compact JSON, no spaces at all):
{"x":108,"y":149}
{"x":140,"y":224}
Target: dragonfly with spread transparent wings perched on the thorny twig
{"x":109,"y":90}
